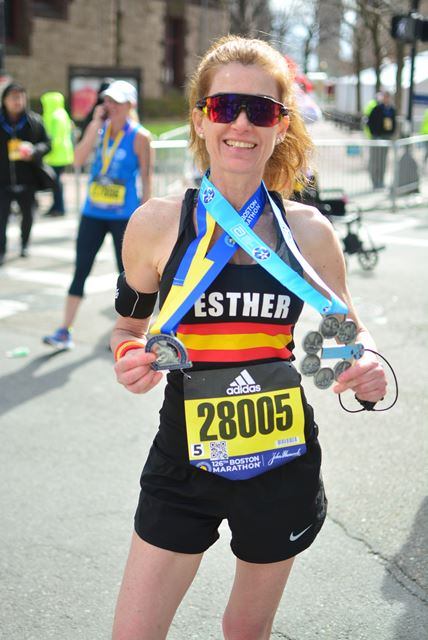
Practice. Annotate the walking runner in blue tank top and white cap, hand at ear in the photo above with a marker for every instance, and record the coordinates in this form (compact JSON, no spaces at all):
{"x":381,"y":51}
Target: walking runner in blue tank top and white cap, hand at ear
{"x":122,"y":158}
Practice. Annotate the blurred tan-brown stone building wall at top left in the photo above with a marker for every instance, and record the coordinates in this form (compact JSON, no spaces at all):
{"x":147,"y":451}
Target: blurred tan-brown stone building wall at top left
{"x":88,"y":38}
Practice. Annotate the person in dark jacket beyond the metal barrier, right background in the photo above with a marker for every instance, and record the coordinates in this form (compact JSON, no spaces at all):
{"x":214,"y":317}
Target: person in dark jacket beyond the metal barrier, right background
{"x":381,"y":124}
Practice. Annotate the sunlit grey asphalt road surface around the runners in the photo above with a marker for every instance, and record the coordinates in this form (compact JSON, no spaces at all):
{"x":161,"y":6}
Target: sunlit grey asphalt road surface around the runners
{"x":74,"y":441}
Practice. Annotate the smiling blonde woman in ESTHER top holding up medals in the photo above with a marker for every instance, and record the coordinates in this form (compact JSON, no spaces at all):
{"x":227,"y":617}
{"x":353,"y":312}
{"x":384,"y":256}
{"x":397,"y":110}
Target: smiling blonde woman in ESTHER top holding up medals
{"x":237,"y":439}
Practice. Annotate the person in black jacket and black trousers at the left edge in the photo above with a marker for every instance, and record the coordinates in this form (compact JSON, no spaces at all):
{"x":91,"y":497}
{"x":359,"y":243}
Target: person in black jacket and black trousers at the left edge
{"x":23,"y":143}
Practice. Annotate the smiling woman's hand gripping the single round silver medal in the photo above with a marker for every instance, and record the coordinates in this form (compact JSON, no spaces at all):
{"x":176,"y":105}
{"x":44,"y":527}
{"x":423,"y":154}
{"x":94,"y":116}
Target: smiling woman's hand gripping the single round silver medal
{"x":134,"y":372}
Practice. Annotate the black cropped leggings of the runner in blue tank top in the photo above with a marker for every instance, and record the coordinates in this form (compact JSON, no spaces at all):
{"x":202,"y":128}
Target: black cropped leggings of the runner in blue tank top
{"x":90,"y":237}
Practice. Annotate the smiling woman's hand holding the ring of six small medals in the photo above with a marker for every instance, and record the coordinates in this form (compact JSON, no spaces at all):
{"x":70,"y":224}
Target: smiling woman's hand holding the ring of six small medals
{"x":366,"y":378}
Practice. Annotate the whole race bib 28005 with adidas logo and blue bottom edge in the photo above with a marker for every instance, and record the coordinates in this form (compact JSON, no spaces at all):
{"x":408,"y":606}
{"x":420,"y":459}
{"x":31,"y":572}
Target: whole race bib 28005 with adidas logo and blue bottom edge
{"x":244,"y":421}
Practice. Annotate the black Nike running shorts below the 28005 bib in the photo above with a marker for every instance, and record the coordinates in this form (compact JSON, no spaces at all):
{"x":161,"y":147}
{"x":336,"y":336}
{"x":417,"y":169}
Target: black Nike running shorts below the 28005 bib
{"x":272,"y":516}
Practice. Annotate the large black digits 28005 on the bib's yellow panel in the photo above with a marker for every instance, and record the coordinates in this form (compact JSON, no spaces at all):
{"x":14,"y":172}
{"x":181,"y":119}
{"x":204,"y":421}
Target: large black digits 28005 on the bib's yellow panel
{"x":245,"y":417}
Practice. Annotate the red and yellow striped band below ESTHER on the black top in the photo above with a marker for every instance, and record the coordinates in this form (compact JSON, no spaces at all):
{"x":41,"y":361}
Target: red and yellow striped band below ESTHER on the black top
{"x":236,"y":341}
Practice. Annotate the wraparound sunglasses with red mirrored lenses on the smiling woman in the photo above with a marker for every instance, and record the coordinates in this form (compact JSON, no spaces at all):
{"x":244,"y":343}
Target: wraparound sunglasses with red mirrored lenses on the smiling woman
{"x":224,"y":108}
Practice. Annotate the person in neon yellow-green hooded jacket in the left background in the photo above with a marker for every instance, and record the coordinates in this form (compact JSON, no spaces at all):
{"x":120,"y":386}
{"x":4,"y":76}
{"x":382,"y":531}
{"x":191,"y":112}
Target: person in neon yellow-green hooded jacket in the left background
{"x":58,"y":124}
